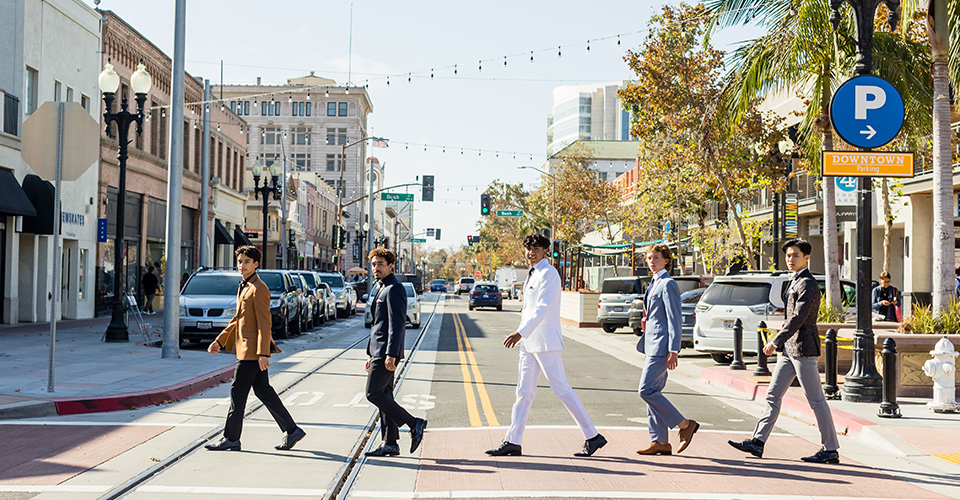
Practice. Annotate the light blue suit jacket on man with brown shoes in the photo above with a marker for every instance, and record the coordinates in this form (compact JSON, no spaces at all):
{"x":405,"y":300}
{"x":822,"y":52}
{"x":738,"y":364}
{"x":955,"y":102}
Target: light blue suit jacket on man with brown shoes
{"x":664,"y":319}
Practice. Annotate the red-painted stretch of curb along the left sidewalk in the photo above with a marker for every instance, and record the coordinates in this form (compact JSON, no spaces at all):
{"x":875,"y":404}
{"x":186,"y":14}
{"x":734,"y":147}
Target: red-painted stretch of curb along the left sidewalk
{"x":131,"y":400}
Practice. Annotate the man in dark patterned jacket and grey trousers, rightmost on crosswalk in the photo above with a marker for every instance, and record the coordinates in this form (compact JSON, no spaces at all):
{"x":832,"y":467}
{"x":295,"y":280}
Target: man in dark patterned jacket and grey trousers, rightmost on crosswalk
{"x":798,"y":342}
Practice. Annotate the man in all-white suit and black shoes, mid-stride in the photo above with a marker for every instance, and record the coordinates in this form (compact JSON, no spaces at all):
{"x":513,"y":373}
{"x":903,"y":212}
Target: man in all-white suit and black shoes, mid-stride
{"x":541,"y":344}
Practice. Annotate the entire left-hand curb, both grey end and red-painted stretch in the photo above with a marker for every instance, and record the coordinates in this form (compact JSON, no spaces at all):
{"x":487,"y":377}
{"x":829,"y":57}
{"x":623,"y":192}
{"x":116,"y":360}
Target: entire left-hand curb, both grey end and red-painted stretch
{"x":115,"y":402}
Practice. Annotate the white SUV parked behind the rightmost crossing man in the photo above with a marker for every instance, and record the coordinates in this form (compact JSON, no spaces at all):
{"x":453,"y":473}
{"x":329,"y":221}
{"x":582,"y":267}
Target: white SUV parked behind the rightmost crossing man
{"x":752,"y":297}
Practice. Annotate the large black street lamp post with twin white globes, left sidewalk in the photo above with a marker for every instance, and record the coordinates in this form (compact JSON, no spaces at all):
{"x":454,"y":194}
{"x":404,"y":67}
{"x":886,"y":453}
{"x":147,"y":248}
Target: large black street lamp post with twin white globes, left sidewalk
{"x":109,"y":81}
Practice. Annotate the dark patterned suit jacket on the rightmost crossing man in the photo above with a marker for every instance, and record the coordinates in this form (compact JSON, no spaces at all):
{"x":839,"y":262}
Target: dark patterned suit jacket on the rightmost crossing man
{"x":799,"y":336}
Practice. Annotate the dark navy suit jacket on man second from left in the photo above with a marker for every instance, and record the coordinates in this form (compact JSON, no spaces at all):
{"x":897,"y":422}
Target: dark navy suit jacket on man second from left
{"x":389,"y":319}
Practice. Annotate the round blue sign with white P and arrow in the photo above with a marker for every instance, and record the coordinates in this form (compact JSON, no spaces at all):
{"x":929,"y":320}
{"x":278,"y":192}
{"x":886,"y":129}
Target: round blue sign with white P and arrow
{"x":867,"y":111}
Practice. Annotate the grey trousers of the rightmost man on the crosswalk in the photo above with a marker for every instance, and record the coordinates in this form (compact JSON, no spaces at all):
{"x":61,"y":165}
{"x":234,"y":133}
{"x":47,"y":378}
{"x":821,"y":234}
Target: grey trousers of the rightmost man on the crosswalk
{"x":804,"y":368}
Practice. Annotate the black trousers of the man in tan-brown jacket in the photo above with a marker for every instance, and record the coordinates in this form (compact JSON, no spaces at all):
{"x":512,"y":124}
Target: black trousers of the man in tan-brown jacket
{"x":248,"y":375}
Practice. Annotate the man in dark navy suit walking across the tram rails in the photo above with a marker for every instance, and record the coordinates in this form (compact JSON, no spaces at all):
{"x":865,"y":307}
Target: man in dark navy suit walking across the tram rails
{"x":385,"y":349}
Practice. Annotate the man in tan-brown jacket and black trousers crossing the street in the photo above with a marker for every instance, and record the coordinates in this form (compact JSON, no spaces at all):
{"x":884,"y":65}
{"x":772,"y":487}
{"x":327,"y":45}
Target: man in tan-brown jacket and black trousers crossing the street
{"x":250,"y":334}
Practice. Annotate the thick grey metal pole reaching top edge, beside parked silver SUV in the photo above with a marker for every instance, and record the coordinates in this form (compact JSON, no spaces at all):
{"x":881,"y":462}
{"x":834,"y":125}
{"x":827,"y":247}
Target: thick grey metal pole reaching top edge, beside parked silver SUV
{"x":171,"y":275}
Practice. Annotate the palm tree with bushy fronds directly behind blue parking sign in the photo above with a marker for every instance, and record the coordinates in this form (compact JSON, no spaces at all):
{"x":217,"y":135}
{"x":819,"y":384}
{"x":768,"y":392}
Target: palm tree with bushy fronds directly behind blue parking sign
{"x":802,"y":53}
